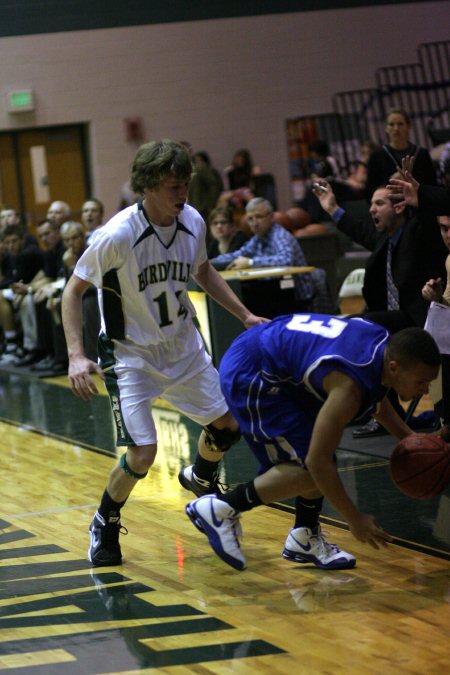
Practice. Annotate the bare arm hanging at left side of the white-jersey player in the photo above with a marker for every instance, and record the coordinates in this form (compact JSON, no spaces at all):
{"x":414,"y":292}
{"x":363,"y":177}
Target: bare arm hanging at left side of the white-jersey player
{"x":80,"y":367}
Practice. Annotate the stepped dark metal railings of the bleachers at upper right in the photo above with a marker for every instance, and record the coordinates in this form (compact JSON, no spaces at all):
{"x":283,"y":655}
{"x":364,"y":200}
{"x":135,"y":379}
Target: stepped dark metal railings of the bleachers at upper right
{"x":422,"y":89}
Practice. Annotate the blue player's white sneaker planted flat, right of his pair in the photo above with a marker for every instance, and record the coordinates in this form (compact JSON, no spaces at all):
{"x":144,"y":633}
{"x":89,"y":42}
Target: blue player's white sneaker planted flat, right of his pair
{"x":303,"y":546}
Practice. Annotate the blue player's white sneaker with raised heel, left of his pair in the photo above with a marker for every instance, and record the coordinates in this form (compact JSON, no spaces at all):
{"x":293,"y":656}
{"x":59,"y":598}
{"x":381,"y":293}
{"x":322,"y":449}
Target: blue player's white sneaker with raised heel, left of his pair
{"x":220,"y":522}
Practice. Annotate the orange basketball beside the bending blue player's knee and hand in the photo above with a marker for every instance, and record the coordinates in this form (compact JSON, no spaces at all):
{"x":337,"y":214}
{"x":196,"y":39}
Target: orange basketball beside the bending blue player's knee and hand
{"x":420,"y":465}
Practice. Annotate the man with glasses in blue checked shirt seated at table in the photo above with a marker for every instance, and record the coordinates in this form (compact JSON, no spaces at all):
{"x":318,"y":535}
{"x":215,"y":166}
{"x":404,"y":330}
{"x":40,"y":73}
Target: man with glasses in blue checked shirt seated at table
{"x":270,"y":245}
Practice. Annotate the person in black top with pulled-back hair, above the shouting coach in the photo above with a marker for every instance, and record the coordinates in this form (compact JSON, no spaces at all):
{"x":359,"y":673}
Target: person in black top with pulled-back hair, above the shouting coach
{"x":388,"y":159}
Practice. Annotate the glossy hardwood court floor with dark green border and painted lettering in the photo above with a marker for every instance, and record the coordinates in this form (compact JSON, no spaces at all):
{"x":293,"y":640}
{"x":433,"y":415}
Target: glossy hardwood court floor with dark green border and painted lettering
{"x":173,"y":606}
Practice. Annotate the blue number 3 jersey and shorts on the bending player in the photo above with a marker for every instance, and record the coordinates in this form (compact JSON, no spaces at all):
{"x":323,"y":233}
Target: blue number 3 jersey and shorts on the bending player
{"x":272,"y":377}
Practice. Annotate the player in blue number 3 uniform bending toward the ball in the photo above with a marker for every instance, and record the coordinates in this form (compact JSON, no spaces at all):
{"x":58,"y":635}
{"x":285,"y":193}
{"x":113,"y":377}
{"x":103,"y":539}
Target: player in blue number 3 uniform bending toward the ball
{"x":293,"y":385}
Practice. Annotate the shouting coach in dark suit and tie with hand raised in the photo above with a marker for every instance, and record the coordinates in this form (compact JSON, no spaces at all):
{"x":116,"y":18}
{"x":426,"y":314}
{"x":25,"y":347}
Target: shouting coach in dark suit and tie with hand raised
{"x":407,"y":251}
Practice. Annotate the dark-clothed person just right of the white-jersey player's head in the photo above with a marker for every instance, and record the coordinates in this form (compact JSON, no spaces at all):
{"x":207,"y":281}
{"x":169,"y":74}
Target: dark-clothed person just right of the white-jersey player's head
{"x":206,"y":185}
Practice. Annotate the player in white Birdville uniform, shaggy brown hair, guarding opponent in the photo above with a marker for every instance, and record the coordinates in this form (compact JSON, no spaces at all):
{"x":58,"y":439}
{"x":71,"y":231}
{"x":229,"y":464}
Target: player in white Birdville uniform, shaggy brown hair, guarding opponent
{"x":141,"y":261}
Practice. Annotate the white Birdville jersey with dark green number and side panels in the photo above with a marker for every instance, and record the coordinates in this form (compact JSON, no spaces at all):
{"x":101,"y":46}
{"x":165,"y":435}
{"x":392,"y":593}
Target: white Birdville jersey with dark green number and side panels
{"x":143,"y":281}
